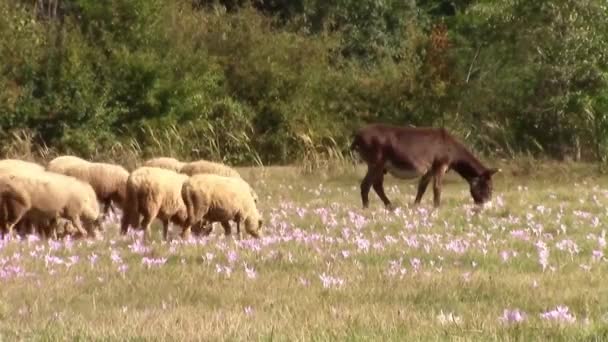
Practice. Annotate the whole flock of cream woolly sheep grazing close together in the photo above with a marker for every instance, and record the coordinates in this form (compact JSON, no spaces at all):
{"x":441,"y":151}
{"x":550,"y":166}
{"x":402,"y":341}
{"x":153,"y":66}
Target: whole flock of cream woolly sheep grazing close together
{"x":193,"y":195}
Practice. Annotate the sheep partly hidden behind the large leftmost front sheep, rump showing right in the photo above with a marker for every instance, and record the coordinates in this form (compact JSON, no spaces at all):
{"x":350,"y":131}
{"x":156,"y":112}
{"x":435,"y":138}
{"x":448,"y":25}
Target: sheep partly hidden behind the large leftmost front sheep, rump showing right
{"x":108,"y":180}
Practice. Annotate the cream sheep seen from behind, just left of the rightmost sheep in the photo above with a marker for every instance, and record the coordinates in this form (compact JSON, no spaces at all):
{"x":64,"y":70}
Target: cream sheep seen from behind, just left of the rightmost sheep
{"x":153,"y":192}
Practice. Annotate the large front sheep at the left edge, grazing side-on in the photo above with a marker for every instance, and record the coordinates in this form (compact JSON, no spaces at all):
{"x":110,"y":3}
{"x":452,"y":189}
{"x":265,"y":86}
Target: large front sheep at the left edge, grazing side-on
{"x":46,"y":196}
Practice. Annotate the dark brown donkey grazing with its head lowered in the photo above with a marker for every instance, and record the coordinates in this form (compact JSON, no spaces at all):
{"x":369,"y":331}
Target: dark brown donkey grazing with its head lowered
{"x":408,"y":153}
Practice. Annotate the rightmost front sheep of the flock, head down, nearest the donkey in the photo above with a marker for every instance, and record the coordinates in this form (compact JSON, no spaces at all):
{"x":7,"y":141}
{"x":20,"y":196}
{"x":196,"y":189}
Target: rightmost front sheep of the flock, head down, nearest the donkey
{"x":213,"y":198}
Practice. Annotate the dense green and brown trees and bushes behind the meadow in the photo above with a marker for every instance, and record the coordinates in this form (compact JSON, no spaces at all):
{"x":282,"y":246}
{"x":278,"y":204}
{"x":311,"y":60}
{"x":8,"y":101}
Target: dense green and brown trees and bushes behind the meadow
{"x":276,"y":81}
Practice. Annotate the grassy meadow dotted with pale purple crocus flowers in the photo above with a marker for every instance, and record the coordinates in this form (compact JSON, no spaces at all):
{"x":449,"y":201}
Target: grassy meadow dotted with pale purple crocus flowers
{"x":530,"y":266}
